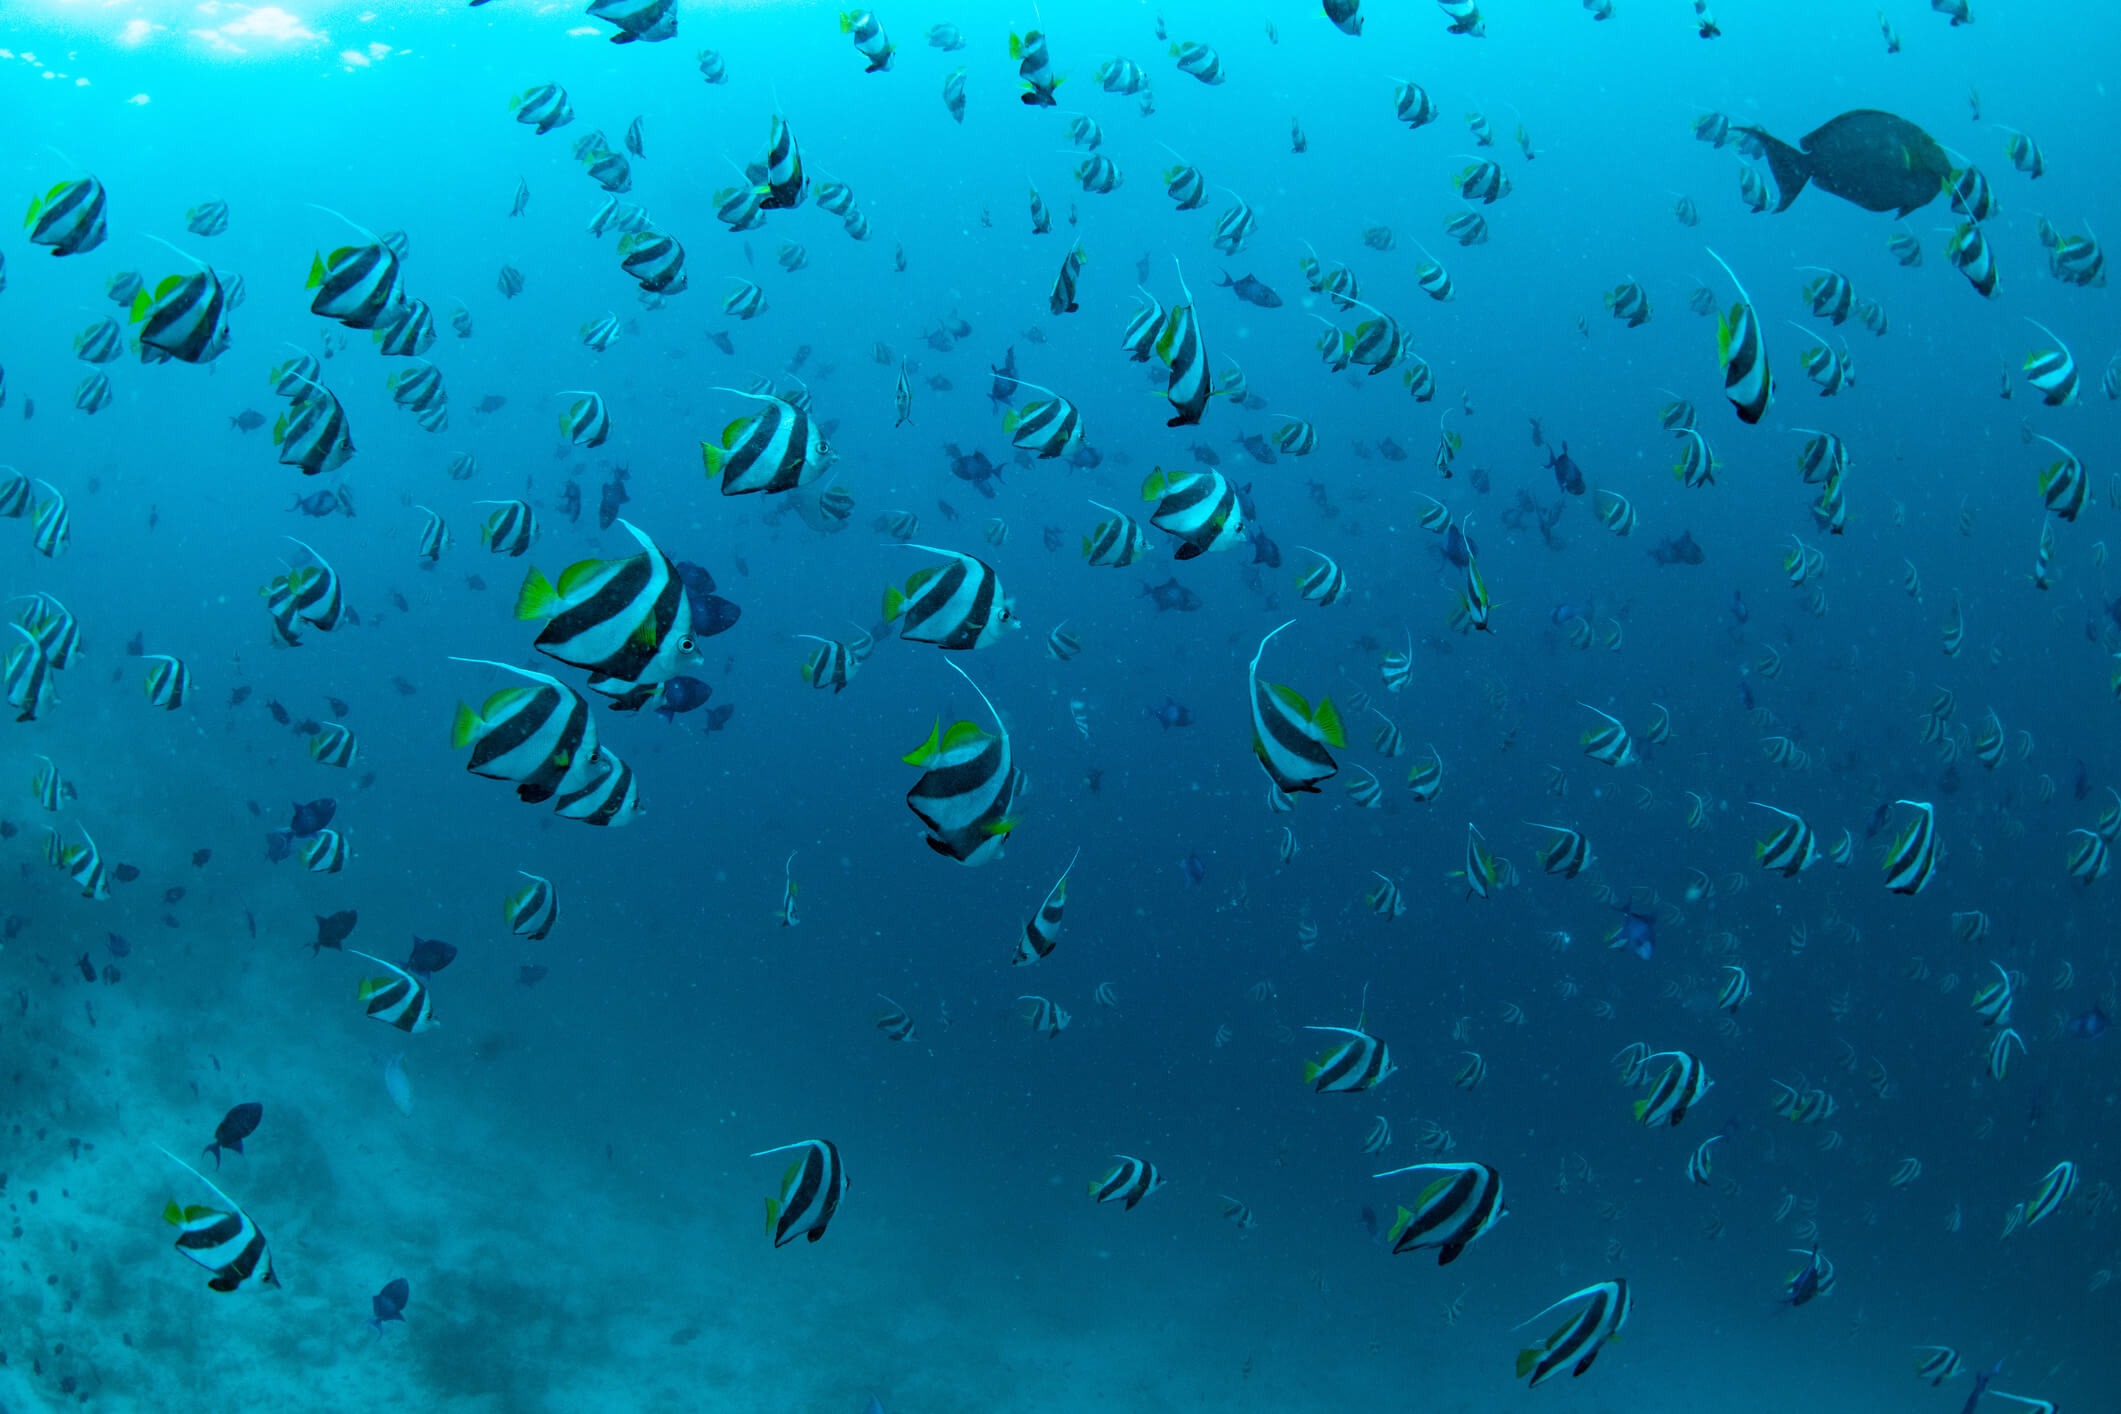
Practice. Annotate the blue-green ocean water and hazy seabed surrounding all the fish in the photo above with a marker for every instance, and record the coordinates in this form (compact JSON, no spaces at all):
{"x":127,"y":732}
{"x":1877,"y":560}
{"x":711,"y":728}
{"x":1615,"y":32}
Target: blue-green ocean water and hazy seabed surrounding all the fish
{"x":572,"y":1197}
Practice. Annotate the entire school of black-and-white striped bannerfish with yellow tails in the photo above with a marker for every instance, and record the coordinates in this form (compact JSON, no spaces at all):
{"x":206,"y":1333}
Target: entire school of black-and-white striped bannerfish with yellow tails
{"x":631,"y":622}
